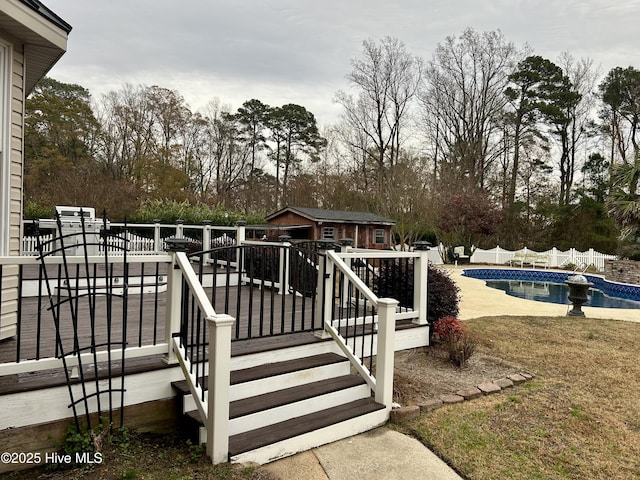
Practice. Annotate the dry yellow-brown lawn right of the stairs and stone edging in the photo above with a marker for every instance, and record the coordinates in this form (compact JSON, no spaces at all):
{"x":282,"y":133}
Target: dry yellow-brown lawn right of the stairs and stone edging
{"x":578,"y":419}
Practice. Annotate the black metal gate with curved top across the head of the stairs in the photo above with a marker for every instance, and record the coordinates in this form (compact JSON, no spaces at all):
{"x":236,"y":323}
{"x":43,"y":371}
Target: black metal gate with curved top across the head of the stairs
{"x":269,"y":289}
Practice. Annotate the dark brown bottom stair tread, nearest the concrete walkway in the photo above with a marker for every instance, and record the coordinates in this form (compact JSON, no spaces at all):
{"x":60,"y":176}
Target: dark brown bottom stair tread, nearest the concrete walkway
{"x":254,"y":439}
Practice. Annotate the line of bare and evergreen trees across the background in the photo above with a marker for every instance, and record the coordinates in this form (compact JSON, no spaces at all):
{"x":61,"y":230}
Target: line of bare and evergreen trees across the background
{"x":482,"y":143}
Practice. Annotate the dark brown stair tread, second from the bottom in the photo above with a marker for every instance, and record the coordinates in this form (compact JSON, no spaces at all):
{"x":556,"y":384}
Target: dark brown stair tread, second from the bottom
{"x":289,"y":395}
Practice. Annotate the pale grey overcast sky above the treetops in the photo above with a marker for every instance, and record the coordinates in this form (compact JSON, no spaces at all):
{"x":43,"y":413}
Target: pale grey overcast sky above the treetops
{"x":299,"y":51}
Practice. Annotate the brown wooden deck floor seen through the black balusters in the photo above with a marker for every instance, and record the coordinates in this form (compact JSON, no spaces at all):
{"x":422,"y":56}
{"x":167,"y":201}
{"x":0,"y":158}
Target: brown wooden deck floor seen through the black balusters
{"x":144,"y":316}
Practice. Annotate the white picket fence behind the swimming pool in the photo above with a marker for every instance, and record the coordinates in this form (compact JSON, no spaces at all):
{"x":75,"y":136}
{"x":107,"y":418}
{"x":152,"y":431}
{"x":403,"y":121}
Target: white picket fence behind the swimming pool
{"x":555,"y":258}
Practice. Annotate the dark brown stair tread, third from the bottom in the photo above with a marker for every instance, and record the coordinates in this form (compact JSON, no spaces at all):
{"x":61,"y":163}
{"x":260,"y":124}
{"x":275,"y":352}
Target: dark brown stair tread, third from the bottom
{"x":272,"y":369}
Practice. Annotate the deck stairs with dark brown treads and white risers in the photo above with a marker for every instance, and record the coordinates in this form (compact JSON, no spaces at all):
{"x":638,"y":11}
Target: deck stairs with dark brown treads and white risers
{"x":291,"y":403}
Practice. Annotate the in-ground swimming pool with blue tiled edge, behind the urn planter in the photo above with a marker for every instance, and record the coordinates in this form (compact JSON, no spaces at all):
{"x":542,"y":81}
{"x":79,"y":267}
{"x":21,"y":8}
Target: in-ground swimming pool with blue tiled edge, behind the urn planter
{"x":547,"y":286}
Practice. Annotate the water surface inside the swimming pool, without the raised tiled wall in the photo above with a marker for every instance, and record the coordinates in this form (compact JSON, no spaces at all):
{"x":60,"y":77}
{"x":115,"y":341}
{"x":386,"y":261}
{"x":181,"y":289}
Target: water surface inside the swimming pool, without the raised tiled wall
{"x":557,"y":293}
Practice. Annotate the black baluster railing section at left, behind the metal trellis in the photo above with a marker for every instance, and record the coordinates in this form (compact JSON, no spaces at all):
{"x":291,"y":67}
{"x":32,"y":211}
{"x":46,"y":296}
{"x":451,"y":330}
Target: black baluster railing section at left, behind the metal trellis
{"x":145,"y":279}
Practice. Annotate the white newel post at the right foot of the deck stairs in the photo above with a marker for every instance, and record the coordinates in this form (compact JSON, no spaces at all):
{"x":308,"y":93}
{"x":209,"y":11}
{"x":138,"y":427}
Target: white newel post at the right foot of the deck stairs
{"x":385,"y":351}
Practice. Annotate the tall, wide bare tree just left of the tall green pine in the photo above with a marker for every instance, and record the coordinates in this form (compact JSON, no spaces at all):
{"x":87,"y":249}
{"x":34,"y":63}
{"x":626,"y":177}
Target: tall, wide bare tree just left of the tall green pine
{"x":463,"y":102}
